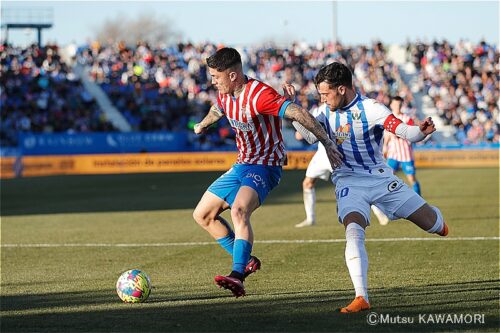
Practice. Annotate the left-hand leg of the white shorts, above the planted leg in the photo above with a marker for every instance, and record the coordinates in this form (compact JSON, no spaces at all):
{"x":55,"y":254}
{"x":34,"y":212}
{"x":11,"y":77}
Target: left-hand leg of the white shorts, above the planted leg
{"x":352,"y":199}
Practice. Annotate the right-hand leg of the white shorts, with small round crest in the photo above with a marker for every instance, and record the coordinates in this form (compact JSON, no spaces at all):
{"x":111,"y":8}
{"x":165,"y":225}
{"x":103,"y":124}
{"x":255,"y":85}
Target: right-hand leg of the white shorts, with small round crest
{"x":396,"y":199}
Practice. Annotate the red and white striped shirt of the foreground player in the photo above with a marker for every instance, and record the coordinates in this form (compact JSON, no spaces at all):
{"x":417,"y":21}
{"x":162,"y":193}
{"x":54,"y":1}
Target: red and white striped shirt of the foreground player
{"x":255,"y":117}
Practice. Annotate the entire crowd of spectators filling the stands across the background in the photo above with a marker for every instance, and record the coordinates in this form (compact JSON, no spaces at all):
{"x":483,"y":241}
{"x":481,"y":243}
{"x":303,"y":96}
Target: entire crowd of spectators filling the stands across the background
{"x":169,"y":88}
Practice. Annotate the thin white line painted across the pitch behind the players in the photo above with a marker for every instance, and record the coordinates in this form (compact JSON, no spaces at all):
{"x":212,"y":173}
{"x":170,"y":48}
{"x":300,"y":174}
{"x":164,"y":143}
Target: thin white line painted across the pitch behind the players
{"x":274,"y":241}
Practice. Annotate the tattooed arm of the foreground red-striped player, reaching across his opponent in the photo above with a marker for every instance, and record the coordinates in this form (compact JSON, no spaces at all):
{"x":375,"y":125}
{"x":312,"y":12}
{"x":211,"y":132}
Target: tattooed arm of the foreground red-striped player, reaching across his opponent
{"x":304,"y":118}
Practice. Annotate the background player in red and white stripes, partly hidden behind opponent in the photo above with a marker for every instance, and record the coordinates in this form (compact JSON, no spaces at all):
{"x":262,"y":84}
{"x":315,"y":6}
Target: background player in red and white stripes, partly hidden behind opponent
{"x":398,"y":151}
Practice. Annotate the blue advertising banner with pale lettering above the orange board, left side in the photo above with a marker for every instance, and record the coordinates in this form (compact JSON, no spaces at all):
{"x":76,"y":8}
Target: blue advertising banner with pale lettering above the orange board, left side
{"x":102,"y":143}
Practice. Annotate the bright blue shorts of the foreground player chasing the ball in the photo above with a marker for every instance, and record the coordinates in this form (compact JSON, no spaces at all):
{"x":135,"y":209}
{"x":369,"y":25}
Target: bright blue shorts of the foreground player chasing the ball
{"x":261,"y":178}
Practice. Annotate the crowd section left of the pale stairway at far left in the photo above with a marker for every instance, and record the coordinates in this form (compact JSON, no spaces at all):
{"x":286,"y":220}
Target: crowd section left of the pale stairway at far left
{"x":40,"y":93}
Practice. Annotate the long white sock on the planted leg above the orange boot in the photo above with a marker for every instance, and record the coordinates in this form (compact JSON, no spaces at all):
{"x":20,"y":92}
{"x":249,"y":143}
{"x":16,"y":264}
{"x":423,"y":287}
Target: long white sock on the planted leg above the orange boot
{"x":357,"y":259}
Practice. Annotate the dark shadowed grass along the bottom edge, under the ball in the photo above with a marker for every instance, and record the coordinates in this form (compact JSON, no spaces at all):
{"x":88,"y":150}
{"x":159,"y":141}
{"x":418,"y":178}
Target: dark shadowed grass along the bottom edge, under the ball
{"x":304,"y":311}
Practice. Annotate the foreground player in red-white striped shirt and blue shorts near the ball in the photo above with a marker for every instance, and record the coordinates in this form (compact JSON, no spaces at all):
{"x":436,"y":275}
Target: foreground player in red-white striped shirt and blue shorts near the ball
{"x":254,"y":111}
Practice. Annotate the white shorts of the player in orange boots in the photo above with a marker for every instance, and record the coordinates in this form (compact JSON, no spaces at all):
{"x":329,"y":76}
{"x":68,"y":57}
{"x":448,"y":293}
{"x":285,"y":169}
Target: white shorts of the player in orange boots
{"x":389,"y":193}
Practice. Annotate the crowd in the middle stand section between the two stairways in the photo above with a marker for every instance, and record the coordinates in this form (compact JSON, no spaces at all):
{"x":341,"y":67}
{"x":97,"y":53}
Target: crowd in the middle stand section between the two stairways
{"x":170,"y":88}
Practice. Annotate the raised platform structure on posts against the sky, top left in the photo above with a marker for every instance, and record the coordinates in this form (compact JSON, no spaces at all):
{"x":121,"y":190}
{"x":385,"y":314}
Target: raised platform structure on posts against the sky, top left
{"x":27,"y":18}
